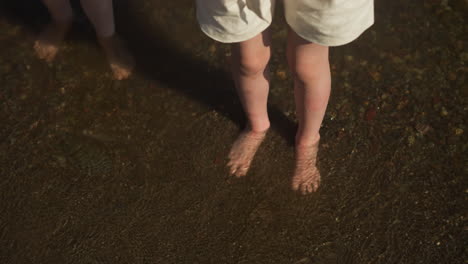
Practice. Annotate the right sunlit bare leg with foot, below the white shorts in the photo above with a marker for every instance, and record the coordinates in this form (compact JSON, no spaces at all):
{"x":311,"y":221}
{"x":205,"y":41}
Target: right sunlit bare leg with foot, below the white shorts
{"x":312,"y":82}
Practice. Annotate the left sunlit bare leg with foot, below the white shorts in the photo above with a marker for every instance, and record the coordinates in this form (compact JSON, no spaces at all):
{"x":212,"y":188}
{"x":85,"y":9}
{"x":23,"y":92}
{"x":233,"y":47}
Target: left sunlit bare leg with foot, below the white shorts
{"x":250,"y":71}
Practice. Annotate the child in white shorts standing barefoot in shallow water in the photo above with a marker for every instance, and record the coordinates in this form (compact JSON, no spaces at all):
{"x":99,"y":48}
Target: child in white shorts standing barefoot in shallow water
{"x":313,"y":25}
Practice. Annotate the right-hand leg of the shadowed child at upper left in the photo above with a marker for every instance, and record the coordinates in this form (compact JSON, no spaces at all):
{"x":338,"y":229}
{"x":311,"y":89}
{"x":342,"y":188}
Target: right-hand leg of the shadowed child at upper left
{"x":101,"y":15}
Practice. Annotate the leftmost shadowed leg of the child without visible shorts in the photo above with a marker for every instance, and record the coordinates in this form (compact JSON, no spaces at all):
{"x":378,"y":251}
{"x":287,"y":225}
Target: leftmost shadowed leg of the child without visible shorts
{"x":49,"y":40}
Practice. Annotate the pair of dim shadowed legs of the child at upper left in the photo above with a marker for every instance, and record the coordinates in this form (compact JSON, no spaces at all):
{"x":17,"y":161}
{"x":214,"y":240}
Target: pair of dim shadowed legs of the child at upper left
{"x":101,"y":15}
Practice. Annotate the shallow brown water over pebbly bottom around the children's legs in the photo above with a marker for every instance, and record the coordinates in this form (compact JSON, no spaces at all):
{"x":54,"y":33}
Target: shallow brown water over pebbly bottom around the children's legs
{"x":101,"y":171}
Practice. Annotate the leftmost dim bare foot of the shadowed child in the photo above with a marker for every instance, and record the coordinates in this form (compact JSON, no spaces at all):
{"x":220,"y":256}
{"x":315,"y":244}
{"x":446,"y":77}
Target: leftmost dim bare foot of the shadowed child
{"x":49,"y":40}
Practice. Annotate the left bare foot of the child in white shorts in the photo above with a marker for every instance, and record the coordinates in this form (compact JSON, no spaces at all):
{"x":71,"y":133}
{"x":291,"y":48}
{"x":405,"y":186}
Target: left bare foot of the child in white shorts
{"x":243,"y":151}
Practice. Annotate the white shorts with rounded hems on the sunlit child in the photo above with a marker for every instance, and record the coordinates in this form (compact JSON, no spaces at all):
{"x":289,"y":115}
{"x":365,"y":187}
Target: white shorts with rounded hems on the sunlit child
{"x":325,"y":22}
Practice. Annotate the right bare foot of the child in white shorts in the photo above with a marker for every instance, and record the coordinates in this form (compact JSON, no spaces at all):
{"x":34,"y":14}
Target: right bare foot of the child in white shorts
{"x":306,"y":177}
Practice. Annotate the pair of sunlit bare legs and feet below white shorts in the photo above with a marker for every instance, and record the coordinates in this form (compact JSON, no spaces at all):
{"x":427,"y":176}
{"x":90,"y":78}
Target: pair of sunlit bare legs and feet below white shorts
{"x":309,"y":65}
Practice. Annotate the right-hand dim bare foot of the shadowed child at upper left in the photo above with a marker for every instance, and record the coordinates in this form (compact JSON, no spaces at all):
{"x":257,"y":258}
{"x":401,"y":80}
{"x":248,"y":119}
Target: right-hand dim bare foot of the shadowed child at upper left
{"x":120,"y":60}
